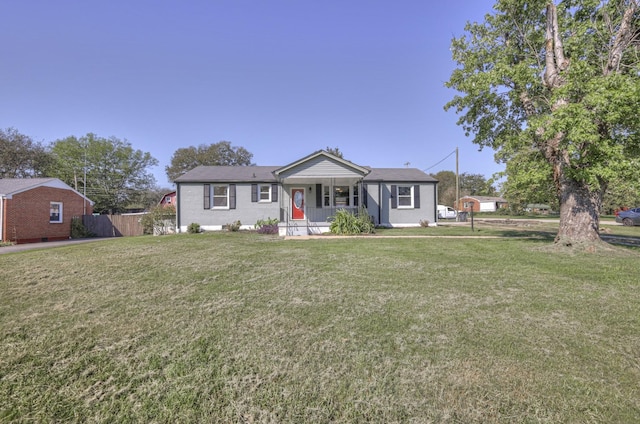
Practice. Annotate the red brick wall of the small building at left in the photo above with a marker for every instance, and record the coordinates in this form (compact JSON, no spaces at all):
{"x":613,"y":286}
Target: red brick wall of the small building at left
{"x":27,"y":213}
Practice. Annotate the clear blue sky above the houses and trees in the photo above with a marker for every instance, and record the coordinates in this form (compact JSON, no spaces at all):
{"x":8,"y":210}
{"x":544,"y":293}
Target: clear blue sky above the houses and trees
{"x":281,"y":78}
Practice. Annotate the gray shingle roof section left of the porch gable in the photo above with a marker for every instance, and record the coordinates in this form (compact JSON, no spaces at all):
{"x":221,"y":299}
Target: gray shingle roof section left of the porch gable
{"x":229,"y":174}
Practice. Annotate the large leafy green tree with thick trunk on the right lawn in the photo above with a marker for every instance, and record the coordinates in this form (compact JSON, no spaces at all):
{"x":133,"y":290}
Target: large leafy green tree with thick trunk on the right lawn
{"x":555,"y":88}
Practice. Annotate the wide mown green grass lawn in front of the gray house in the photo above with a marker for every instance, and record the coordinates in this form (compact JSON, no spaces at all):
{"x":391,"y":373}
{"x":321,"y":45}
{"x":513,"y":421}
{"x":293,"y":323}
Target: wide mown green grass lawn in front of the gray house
{"x":240,"y":327}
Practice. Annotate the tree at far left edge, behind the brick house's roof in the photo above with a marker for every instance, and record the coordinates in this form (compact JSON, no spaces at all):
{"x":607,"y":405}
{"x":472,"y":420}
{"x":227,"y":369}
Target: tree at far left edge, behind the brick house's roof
{"x":20,"y":156}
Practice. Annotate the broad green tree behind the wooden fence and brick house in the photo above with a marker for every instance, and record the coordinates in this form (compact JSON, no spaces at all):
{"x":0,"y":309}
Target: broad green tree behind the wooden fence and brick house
{"x":116,"y":173}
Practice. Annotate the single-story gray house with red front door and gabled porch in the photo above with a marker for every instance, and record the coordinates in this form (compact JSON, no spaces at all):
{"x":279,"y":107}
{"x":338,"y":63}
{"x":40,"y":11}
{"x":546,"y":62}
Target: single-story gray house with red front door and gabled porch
{"x":303,"y":195}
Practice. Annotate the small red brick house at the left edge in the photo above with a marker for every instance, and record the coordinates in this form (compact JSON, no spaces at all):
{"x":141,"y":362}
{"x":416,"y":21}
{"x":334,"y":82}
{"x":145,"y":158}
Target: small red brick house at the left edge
{"x":39,"y":209}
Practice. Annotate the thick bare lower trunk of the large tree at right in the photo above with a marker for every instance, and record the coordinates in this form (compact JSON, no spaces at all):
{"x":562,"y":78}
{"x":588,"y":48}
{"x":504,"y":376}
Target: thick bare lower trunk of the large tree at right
{"x":579,"y":215}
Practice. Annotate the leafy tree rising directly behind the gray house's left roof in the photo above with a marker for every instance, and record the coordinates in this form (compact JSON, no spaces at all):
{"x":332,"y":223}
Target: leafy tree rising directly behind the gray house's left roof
{"x":222,"y":153}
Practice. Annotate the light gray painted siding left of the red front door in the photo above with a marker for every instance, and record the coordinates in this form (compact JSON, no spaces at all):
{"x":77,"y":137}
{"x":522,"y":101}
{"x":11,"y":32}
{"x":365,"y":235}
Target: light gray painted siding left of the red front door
{"x":192,"y":208}
